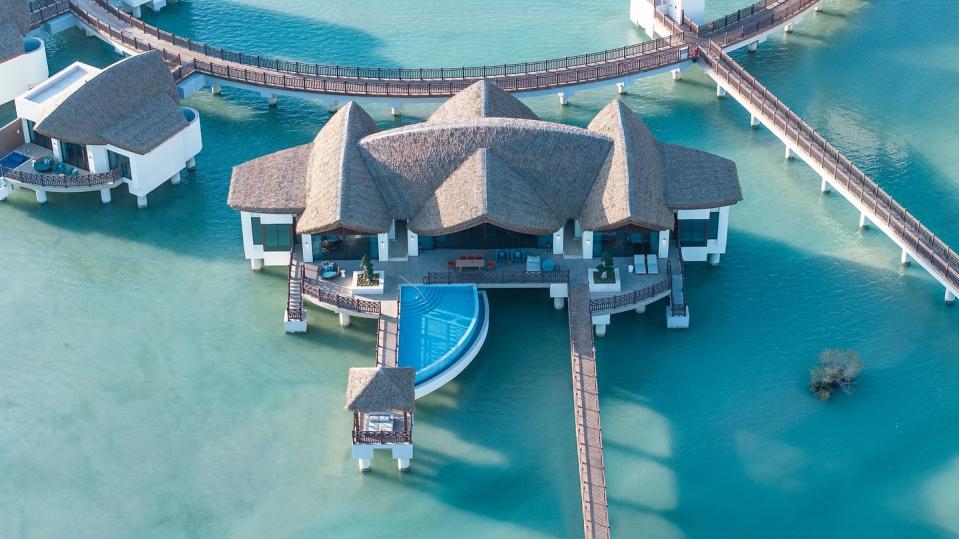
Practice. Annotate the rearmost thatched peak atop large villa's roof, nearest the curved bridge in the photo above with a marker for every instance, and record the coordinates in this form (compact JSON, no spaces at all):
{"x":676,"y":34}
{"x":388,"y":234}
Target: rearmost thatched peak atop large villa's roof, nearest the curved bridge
{"x":482,"y":99}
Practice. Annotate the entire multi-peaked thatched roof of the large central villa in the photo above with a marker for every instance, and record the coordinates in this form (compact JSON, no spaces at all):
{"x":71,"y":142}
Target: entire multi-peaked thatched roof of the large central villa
{"x":484,"y":158}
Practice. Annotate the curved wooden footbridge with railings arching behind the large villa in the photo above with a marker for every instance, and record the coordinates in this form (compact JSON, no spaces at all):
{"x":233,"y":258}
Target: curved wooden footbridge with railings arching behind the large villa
{"x":306,"y":69}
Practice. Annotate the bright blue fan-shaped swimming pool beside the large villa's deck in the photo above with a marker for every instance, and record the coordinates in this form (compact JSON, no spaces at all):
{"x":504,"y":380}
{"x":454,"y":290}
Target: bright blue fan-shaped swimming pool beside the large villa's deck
{"x":436,"y":324}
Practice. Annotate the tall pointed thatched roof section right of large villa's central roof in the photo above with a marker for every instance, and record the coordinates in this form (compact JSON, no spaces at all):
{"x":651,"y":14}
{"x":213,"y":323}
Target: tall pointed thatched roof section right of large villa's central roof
{"x":629,"y":190}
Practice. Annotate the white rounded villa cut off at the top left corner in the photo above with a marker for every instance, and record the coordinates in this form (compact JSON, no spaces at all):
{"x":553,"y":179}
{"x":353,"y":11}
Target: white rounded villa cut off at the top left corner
{"x":23,"y":60}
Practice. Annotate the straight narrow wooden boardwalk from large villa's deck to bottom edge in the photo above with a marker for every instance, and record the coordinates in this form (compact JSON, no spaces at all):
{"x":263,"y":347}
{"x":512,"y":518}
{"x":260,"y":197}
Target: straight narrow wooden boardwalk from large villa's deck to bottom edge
{"x":589,"y":432}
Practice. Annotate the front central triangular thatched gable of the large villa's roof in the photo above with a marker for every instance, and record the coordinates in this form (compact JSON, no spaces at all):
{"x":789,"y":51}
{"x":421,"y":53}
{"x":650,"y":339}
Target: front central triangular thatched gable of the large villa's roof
{"x":484,"y":190}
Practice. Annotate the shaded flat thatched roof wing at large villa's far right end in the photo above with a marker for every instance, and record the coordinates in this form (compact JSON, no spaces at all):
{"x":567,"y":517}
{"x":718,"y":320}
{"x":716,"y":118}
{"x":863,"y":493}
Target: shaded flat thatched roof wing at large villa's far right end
{"x":698,"y":180}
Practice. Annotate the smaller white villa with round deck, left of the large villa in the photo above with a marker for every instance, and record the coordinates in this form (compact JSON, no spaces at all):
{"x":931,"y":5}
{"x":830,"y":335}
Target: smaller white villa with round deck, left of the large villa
{"x":87,"y":129}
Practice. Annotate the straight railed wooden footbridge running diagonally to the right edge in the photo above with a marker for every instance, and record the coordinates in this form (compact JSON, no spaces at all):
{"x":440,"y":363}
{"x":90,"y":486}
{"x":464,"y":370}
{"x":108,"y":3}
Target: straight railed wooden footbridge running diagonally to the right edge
{"x":927,"y":245}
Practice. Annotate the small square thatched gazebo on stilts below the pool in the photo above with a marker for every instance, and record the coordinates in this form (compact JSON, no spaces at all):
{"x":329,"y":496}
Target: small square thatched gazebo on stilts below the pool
{"x":382,"y":400}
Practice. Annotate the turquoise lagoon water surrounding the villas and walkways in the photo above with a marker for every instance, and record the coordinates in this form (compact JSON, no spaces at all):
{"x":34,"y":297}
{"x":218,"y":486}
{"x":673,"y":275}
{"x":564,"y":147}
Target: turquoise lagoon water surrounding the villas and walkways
{"x":148,"y":389}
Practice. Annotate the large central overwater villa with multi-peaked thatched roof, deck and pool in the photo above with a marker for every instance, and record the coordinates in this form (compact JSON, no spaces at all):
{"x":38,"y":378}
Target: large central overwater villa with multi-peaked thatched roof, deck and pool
{"x":481,"y":195}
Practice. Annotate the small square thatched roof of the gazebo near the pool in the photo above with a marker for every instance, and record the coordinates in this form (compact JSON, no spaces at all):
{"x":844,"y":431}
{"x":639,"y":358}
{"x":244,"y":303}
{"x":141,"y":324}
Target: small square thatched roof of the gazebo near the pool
{"x":381,"y":389}
